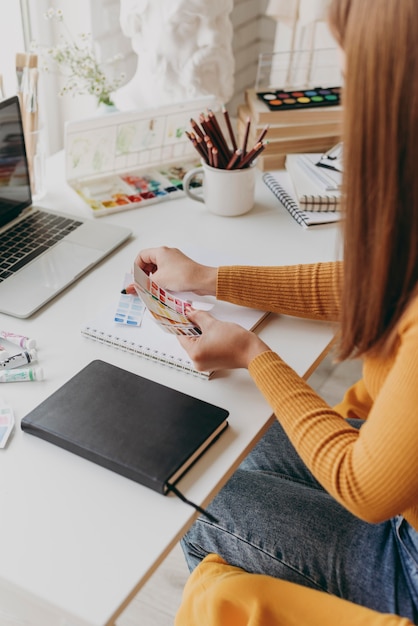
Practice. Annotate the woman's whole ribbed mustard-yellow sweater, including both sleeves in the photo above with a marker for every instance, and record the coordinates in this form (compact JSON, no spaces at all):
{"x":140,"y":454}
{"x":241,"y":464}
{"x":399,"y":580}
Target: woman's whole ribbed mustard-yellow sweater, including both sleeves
{"x":372,"y":472}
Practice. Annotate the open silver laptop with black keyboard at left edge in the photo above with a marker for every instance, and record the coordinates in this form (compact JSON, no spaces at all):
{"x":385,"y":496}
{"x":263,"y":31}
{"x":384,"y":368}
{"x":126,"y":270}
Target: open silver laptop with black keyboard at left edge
{"x":41,"y":251}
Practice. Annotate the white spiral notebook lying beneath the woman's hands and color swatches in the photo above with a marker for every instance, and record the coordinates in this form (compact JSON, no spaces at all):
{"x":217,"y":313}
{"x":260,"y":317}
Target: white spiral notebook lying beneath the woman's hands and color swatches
{"x":148,"y":340}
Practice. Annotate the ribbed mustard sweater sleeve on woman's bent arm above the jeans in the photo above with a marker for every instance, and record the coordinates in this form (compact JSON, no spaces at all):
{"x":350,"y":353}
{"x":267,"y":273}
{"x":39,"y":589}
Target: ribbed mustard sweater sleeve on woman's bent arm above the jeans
{"x":372,"y":472}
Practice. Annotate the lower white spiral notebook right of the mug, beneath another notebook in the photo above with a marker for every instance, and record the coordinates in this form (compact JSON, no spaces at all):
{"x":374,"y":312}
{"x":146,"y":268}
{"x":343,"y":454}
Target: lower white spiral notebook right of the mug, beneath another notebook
{"x":280,"y":183}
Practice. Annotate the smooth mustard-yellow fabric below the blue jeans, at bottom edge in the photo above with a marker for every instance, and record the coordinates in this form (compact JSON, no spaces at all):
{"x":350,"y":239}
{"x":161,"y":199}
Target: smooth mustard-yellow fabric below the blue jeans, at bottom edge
{"x":217,"y":594}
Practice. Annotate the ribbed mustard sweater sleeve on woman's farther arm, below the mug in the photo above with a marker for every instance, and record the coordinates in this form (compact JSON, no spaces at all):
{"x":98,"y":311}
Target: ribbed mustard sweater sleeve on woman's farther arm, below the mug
{"x":310,"y":291}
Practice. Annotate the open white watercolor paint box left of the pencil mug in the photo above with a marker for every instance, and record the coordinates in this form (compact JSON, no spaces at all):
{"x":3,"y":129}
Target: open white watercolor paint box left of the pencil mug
{"x":127,"y":160}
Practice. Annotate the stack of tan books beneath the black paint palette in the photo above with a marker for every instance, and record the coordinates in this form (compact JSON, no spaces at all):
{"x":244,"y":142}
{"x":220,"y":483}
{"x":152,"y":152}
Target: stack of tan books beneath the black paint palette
{"x":290,"y":131}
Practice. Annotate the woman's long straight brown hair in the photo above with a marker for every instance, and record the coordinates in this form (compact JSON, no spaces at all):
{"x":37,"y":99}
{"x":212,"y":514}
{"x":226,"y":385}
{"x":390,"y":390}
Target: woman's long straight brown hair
{"x":380,"y":133}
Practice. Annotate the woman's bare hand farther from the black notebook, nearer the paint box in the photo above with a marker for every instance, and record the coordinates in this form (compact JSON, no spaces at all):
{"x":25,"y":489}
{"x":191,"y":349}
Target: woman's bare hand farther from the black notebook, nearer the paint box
{"x":175,"y":271}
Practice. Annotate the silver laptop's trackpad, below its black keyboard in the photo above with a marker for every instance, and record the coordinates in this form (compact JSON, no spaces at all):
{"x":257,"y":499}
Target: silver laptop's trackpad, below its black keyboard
{"x":40,"y":280}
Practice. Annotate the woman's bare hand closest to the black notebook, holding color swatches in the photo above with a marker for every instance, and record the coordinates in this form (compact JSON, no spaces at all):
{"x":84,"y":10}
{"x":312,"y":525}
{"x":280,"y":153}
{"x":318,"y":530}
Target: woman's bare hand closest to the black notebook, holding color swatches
{"x":222,"y":345}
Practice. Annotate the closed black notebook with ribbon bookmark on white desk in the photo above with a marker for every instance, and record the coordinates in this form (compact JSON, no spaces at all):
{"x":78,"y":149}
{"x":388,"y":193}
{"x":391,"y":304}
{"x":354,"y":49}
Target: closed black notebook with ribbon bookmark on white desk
{"x":136,"y":427}
